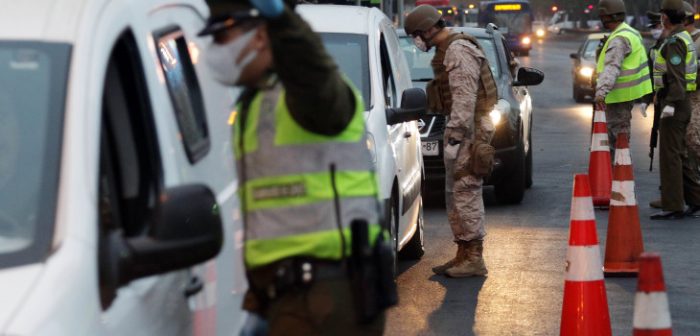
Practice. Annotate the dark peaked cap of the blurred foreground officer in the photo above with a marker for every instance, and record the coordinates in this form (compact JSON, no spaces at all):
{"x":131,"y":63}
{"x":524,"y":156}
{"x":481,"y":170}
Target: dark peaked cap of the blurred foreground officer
{"x":228,"y":13}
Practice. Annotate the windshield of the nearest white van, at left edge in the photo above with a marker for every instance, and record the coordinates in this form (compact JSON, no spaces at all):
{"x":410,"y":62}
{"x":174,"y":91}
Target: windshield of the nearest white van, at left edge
{"x":32,"y":96}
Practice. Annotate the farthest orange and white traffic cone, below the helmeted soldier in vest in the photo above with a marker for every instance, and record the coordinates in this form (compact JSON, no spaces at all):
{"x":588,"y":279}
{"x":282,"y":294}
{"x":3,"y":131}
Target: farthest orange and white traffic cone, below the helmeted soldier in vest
{"x":599,"y":165}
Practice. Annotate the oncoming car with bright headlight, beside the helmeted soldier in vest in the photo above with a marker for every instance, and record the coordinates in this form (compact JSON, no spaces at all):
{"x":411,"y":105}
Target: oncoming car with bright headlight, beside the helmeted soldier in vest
{"x":584,"y":67}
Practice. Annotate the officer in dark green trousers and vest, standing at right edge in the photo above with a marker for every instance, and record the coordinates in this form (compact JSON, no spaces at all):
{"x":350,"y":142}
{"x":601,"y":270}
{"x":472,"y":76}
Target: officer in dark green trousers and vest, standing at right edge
{"x":675,"y":76}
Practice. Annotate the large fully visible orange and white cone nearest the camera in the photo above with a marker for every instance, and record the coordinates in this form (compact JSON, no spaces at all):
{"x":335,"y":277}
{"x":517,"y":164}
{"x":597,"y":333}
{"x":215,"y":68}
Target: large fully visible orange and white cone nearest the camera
{"x":585,"y":307}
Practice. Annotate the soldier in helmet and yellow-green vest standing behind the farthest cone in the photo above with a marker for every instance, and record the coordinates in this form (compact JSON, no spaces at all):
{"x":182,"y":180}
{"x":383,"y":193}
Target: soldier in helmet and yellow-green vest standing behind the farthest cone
{"x":623,"y":73}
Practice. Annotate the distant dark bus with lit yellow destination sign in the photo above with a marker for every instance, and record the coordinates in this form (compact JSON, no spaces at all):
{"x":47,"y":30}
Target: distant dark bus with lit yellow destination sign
{"x":514,"y":21}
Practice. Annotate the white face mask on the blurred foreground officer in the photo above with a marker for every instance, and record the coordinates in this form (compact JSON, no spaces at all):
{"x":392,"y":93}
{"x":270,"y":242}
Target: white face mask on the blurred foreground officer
{"x":221,"y":58}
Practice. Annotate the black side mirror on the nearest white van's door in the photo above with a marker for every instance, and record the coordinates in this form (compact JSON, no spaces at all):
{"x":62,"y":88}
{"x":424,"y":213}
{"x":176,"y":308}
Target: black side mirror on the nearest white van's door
{"x":186,"y":230}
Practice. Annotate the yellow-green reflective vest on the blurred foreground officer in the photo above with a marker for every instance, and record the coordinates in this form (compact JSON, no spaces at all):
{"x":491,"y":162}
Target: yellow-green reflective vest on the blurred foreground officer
{"x":288,"y":192}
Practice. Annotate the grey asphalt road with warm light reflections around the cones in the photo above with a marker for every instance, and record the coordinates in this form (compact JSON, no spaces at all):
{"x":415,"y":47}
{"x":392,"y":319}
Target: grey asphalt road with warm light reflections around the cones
{"x":526,"y":244}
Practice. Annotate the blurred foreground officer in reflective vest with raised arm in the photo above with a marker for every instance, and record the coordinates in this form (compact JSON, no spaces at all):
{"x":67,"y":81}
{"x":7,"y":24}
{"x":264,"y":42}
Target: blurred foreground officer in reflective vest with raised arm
{"x":301,"y":152}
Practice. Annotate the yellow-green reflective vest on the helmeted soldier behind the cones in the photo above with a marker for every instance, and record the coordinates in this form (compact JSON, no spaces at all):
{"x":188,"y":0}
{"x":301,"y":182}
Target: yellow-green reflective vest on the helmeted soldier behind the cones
{"x":634,"y":80}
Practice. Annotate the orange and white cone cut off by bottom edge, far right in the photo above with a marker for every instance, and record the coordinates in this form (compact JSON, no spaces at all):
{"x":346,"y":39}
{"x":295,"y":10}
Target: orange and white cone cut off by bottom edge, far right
{"x":651,"y":314}
